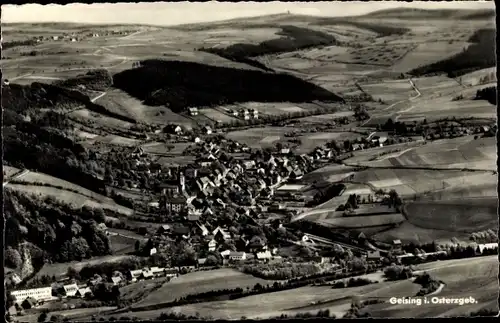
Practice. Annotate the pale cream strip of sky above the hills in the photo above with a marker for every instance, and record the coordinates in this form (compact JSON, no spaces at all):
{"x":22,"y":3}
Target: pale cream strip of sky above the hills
{"x":175,"y":13}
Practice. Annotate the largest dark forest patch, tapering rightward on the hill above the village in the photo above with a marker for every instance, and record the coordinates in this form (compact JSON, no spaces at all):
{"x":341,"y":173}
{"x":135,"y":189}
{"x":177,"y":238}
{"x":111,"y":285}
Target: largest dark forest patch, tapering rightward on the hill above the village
{"x":180,"y":85}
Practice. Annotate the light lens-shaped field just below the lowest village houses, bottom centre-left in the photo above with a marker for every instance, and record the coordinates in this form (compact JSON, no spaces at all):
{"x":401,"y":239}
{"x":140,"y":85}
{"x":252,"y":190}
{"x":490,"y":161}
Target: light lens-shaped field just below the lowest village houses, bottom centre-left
{"x":200,"y":282}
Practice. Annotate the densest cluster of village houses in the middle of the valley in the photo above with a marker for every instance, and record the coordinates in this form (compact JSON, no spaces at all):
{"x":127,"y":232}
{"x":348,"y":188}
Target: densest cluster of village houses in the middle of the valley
{"x":244,"y":181}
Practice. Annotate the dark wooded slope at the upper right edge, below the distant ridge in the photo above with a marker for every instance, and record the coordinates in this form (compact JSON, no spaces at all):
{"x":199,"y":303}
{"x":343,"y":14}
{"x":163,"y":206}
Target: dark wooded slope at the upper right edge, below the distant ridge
{"x":479,"y":55}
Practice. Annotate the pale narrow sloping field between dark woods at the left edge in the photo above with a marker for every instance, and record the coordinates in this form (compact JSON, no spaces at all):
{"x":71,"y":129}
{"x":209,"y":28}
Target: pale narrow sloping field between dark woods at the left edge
{"x":71,"y":193}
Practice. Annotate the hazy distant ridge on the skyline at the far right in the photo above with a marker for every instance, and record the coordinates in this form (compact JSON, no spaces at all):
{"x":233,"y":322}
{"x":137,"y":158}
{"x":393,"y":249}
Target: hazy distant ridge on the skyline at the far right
{"x":416,"y":13}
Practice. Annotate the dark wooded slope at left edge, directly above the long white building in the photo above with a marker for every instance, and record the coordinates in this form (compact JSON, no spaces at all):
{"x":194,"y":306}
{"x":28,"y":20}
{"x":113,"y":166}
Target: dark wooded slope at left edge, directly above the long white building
{"x":55,"y":232}
